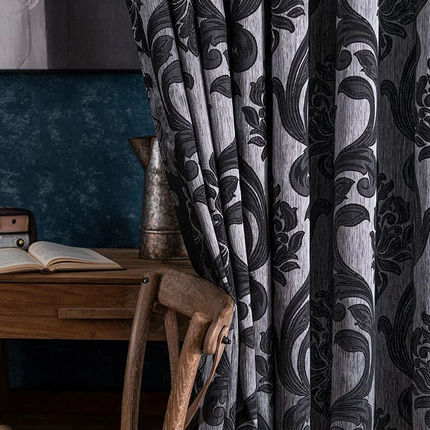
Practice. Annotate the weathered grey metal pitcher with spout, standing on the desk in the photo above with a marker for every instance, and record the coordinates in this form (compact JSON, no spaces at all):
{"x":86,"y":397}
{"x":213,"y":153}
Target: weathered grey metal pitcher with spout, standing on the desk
{"x":160,"y":237}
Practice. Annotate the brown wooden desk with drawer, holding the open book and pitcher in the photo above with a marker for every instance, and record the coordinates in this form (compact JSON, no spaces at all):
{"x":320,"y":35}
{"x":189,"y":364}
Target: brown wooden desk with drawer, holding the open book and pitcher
{"x":75,"y":305}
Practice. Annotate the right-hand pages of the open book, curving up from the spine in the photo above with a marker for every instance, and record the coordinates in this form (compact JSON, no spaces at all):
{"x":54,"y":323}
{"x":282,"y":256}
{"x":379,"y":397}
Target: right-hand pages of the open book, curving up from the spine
{"x":49,"y":253}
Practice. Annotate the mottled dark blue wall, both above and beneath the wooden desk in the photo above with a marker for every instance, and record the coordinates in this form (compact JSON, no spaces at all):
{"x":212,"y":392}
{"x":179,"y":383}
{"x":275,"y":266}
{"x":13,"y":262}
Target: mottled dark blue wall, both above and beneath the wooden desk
{"x":64,"y":155}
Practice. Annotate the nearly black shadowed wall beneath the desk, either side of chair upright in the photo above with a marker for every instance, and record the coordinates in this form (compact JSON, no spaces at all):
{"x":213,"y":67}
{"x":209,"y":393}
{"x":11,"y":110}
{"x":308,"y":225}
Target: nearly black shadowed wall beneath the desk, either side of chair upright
{"x":82,"y":365}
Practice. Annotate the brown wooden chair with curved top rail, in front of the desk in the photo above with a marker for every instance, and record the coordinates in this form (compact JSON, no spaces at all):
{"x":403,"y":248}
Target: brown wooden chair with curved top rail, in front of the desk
{"x":211,"y":312}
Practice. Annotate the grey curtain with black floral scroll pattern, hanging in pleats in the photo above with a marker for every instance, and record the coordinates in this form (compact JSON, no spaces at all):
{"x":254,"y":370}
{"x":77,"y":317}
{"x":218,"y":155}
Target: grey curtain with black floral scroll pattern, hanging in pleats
{"x":296,"y":138}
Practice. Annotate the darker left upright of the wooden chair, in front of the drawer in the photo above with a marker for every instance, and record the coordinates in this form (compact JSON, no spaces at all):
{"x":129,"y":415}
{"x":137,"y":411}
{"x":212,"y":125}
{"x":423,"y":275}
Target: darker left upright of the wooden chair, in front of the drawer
{"x":136,"y":353}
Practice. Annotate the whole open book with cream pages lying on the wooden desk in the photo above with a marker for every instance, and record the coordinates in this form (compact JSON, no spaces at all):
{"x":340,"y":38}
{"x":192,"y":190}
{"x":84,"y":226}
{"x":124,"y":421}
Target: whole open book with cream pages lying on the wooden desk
{"x":50,"y":257}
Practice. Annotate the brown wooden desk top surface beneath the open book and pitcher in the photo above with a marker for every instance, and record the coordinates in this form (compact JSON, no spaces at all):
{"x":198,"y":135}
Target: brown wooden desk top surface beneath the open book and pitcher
{"x":135,"y":270}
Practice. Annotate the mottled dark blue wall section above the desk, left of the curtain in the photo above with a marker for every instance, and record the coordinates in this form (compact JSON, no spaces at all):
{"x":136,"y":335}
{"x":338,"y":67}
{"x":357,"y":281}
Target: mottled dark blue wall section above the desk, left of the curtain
{"x":65,"y":155}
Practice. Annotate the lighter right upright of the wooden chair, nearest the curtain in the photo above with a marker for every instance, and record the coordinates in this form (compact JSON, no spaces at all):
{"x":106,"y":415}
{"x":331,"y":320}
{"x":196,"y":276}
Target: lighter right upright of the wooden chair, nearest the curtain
{"x":186,"y":372}
